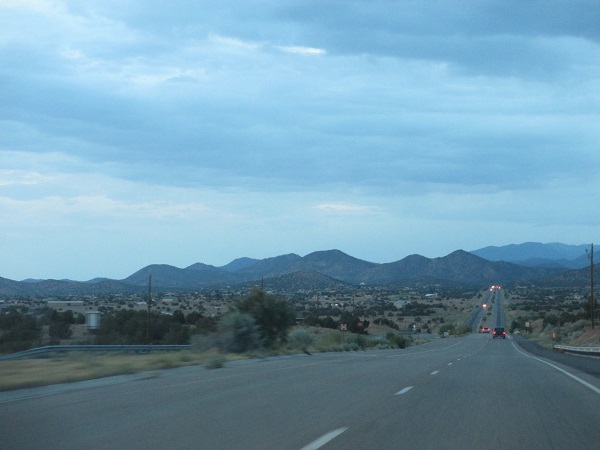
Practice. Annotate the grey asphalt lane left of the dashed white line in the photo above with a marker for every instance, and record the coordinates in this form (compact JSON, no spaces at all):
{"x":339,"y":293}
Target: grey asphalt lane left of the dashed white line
{"x":250,"y":405}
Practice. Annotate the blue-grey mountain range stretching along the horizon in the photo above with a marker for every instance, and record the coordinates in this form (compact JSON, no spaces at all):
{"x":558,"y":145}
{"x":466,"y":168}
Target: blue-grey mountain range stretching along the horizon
{"x":557,"y":265}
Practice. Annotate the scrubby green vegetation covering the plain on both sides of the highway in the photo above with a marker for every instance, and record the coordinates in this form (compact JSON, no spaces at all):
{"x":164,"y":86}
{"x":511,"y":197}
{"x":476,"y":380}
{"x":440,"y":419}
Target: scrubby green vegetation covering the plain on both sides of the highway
{"x":259,"y":324}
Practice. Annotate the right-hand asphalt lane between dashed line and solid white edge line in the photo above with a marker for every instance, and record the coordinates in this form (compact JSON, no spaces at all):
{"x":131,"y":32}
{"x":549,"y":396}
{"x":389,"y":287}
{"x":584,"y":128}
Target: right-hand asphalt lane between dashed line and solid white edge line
{"x":498,"y":398}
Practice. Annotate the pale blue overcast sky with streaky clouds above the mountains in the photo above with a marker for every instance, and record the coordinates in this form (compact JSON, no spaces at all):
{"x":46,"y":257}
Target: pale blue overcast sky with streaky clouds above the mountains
{"x":137,"y":132}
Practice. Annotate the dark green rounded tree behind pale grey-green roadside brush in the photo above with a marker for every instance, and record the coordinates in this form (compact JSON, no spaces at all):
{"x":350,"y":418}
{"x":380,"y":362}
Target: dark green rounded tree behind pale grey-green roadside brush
{"x":274,"y":317}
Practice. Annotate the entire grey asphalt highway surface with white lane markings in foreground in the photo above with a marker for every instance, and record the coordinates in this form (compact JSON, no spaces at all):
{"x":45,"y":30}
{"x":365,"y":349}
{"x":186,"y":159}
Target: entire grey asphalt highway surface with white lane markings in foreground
{"x":458,"y":393}
